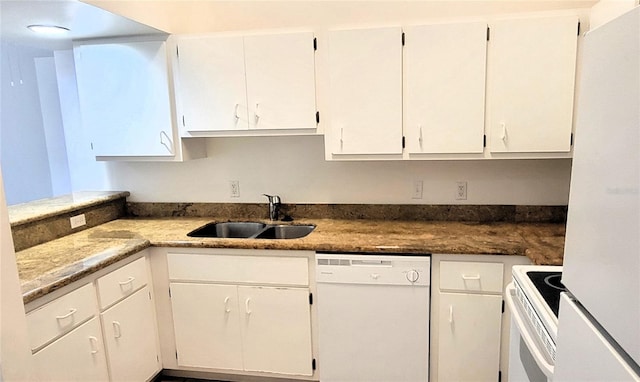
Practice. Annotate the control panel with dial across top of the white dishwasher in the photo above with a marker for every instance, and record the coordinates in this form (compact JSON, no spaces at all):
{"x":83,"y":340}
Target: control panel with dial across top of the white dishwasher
{"x":373,"y":269}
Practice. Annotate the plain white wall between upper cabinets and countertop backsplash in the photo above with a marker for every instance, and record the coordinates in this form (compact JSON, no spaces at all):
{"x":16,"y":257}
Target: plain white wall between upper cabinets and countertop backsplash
{"x":295,"y":169}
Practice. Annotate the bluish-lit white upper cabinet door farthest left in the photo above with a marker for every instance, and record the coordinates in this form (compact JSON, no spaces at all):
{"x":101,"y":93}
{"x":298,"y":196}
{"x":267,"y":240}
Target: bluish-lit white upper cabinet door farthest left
{"x":124,"y":98}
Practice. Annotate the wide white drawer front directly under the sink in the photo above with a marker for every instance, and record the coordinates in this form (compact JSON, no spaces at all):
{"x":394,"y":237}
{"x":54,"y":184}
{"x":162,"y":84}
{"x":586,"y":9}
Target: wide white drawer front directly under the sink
{"x":239,"y":269}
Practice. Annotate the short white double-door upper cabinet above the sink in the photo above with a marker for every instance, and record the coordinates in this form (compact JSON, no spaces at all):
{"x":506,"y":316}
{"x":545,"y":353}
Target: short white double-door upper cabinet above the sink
{"x":240,"y":83}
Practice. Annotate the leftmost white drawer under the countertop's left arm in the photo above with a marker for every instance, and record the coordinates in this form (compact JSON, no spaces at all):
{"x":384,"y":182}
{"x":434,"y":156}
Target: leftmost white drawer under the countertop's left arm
{"x":61,"y":315}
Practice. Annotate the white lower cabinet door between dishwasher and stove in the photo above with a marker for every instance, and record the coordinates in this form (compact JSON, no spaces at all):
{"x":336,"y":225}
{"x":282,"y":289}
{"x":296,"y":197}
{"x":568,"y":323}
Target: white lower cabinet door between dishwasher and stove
{"x":469,"y":337}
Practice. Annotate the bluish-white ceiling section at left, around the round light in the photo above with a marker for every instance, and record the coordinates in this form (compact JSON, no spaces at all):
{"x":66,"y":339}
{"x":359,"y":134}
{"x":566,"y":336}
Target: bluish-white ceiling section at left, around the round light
{"x":83,"y":20}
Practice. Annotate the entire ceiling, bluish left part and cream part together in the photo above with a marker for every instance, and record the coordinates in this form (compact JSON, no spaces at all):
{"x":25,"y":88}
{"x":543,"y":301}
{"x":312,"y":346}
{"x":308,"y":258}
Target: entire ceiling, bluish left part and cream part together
{"x":109,"y":18}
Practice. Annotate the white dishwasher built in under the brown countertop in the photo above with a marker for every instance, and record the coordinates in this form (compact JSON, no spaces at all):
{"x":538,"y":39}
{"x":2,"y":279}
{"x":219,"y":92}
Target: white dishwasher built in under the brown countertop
{"x":373,"y":317}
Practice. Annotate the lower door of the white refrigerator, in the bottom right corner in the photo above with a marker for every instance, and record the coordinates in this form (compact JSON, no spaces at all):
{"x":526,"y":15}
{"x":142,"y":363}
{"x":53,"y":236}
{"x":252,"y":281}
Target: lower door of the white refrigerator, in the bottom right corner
{"x":584,"y":352}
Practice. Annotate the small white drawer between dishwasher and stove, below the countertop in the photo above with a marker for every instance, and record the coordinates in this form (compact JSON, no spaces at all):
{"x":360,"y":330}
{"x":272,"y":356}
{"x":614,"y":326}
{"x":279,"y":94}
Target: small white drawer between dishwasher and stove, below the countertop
{"x":471,"y":276}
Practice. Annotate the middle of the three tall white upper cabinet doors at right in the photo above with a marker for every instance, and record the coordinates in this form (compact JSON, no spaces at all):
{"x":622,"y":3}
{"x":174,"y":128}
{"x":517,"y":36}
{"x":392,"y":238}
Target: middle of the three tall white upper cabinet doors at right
{"x":444,"y":78}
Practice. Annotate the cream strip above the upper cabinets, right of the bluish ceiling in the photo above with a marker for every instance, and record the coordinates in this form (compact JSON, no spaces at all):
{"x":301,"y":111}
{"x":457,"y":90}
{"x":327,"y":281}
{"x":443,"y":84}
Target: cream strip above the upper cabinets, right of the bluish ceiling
{"x":202,"y":16}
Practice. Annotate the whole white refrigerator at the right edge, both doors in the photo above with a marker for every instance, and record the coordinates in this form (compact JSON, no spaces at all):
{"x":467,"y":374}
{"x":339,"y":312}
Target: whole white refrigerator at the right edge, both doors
{"x":599,"y":321}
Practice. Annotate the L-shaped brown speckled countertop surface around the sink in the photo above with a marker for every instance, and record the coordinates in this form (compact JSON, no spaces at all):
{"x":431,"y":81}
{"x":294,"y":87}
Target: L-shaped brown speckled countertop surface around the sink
{"x":49,"y":266}
